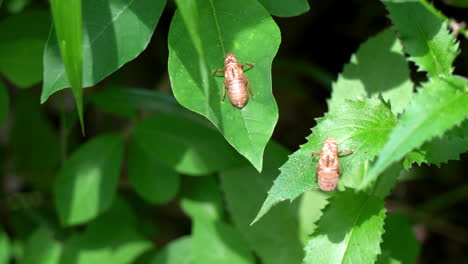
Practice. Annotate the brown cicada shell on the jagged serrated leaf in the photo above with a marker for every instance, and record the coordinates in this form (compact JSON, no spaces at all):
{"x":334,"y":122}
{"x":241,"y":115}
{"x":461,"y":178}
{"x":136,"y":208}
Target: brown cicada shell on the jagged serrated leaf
{"x":328,"y":167}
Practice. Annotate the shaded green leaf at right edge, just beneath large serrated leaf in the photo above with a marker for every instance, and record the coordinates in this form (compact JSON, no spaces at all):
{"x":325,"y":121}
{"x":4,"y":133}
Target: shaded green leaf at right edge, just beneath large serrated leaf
{"x":441,"y":150}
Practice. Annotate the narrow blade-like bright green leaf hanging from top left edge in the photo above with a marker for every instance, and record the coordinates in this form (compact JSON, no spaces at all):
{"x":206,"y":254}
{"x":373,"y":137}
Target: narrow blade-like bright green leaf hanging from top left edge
{"x":68,"y":27}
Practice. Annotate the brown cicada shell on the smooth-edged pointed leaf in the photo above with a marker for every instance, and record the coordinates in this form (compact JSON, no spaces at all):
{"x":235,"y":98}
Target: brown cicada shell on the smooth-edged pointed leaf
{"x":235,"y":81}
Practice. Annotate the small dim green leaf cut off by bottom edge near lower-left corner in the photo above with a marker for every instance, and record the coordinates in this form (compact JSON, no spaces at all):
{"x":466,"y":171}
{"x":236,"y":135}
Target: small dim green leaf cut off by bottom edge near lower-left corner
{"x":42,"y":248}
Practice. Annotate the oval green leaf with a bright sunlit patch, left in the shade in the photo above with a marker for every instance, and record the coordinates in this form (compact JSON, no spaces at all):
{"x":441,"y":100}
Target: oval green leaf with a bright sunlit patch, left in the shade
{"x":86,"y":185}
